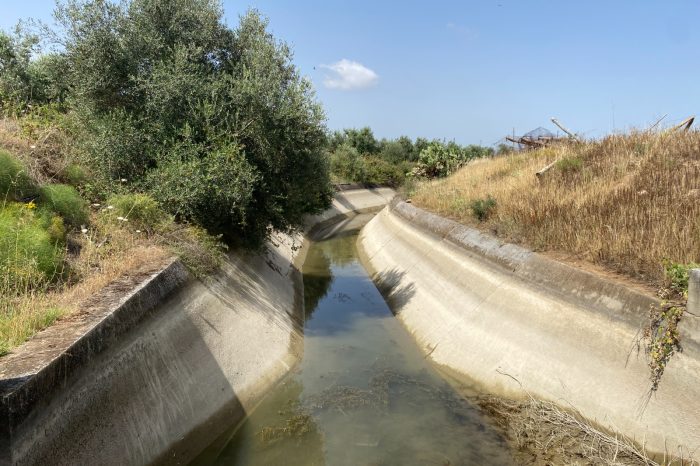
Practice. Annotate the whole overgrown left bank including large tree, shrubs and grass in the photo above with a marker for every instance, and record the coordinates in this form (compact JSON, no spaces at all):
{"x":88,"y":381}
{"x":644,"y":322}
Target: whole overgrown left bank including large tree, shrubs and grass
{"x":109,"y":164}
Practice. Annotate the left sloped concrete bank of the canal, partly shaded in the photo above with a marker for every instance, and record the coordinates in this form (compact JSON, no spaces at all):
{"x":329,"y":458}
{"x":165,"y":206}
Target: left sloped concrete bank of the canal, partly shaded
{"x":169,"y":362}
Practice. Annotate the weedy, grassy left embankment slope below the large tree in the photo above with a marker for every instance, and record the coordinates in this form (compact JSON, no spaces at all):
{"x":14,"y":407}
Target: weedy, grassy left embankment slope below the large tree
{"x":61,"y":242}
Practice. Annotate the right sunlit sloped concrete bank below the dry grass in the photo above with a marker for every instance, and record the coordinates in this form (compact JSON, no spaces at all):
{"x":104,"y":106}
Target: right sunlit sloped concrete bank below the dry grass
{"x":514,"y":322}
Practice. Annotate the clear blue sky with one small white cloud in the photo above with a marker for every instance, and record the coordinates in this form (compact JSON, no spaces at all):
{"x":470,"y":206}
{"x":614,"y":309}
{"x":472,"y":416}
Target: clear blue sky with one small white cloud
{"x":473,"y":71}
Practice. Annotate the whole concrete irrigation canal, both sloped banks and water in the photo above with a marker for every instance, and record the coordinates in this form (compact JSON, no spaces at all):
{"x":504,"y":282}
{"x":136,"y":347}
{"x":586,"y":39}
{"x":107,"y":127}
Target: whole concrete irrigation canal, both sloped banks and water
{"x":328,"y":348}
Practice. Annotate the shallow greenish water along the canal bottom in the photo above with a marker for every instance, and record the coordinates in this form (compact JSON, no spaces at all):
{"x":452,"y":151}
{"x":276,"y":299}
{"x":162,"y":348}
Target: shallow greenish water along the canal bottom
{"x":363,"y":394}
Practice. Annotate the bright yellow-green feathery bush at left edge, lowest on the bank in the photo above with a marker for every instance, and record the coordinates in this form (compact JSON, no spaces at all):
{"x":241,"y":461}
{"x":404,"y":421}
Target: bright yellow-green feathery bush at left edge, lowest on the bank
{"x":29,"y":256}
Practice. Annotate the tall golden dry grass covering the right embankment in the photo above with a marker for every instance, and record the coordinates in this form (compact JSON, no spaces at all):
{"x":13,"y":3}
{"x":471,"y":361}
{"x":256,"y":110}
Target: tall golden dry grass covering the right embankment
{"x":626,"y":202}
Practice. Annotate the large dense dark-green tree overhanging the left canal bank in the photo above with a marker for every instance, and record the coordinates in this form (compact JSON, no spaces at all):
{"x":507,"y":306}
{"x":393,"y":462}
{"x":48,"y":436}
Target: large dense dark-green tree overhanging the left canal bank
{"x":216,"y":124}
